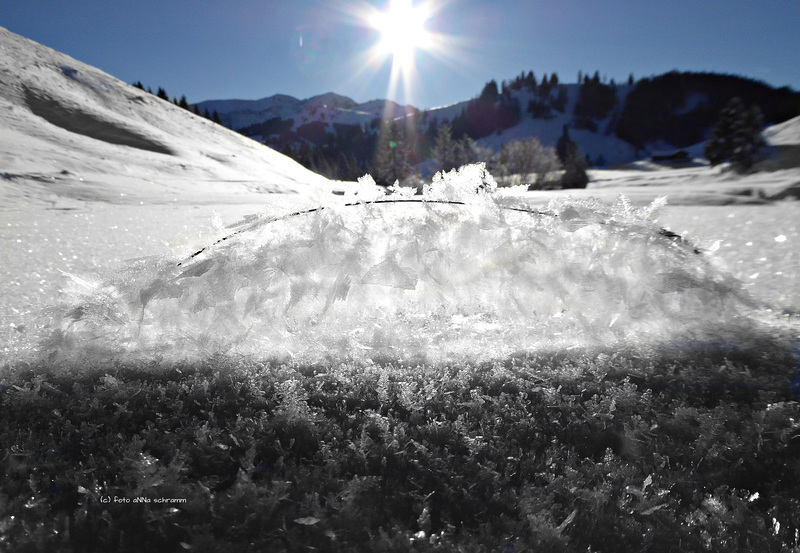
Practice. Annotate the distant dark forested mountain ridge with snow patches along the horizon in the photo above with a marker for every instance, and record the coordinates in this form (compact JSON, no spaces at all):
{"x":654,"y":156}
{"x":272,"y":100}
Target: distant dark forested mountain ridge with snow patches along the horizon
{"x":612,"y":124}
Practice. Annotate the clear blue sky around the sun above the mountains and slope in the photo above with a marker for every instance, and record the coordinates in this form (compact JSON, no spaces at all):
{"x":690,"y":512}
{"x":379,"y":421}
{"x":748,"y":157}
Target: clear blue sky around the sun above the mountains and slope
{"x":250,"y":49}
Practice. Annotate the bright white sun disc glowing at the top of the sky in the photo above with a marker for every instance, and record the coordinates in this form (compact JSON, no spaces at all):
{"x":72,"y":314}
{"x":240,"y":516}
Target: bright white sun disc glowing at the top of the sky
{"x":402,"y":31}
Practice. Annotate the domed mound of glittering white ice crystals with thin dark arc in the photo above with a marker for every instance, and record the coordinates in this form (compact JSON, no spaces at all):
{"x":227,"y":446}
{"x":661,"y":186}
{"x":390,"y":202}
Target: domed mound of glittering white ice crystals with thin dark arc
{"x":463,"y":272}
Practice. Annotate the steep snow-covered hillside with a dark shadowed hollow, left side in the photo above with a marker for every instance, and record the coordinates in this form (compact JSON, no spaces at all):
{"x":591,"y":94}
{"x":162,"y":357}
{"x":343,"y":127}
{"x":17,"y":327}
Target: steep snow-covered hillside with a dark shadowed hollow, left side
{"x":70,"y":130}
